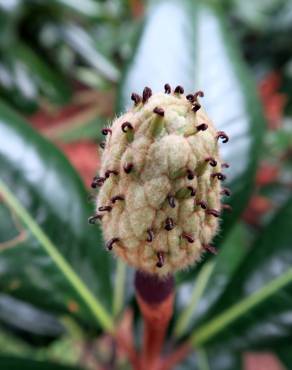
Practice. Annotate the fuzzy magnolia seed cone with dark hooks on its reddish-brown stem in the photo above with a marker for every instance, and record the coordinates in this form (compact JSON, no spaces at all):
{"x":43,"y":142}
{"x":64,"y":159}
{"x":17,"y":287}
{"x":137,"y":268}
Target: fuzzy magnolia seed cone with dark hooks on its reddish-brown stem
{"x":160,"y":197}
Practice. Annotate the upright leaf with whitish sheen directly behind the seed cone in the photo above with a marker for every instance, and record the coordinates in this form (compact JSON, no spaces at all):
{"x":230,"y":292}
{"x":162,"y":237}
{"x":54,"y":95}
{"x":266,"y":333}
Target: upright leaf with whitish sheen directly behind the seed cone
{"x":198,"y":52}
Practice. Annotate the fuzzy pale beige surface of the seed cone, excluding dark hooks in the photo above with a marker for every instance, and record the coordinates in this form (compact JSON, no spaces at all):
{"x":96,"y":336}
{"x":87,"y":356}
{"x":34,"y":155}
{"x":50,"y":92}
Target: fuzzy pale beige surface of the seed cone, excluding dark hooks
{"x":160,"y":163}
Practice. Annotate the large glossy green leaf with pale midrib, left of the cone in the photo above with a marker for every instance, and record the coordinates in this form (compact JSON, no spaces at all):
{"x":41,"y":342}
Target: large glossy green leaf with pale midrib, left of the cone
{"x":56,"y":259}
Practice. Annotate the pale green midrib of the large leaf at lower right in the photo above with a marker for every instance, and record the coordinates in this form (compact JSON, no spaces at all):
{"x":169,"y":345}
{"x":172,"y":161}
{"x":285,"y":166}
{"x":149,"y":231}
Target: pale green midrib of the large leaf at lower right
{"x":221,"y":321}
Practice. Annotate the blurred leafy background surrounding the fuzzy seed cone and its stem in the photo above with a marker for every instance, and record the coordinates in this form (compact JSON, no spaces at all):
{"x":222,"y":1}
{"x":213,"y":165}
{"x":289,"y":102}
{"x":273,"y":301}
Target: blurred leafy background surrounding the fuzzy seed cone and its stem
{"x":66,"y":68}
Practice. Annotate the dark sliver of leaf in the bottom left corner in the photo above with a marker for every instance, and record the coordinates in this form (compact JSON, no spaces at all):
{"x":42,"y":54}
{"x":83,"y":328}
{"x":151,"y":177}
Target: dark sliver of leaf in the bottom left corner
{"x":19,"y":363}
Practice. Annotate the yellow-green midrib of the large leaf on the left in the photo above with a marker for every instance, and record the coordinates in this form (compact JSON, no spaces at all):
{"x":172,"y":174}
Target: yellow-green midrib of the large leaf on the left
{"x":98,"y":311}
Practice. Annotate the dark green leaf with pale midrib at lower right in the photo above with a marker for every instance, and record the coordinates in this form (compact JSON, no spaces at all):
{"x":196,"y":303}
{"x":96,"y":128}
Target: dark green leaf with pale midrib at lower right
{"x":255,"y":309}
